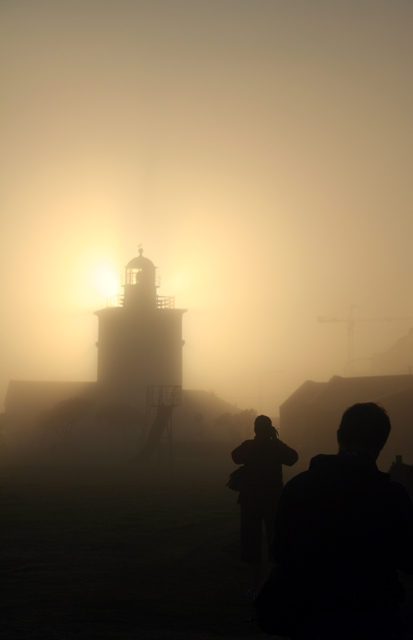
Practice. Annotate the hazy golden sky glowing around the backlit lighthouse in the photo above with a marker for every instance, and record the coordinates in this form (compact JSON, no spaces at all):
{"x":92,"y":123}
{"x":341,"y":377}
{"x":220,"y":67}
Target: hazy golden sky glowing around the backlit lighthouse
{"x":259,"y":150}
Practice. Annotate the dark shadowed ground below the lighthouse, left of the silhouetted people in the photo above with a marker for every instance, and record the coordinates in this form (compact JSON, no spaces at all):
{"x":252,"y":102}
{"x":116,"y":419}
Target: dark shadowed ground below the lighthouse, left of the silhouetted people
{"x":122,"y":553}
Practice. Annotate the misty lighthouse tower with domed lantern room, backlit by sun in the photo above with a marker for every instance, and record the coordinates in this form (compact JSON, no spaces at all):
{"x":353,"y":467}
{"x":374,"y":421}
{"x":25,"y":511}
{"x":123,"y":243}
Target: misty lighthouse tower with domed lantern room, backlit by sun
{"x":140,"y":338}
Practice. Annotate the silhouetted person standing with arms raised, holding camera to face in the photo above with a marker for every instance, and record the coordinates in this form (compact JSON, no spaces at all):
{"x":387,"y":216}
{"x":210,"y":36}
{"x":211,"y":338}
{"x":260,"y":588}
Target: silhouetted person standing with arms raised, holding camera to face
{"x":261,"y":488}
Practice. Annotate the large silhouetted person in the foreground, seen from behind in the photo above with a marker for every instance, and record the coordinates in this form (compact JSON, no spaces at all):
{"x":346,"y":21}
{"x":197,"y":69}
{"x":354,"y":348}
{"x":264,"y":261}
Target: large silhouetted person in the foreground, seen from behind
{"x":342,"y":530}
